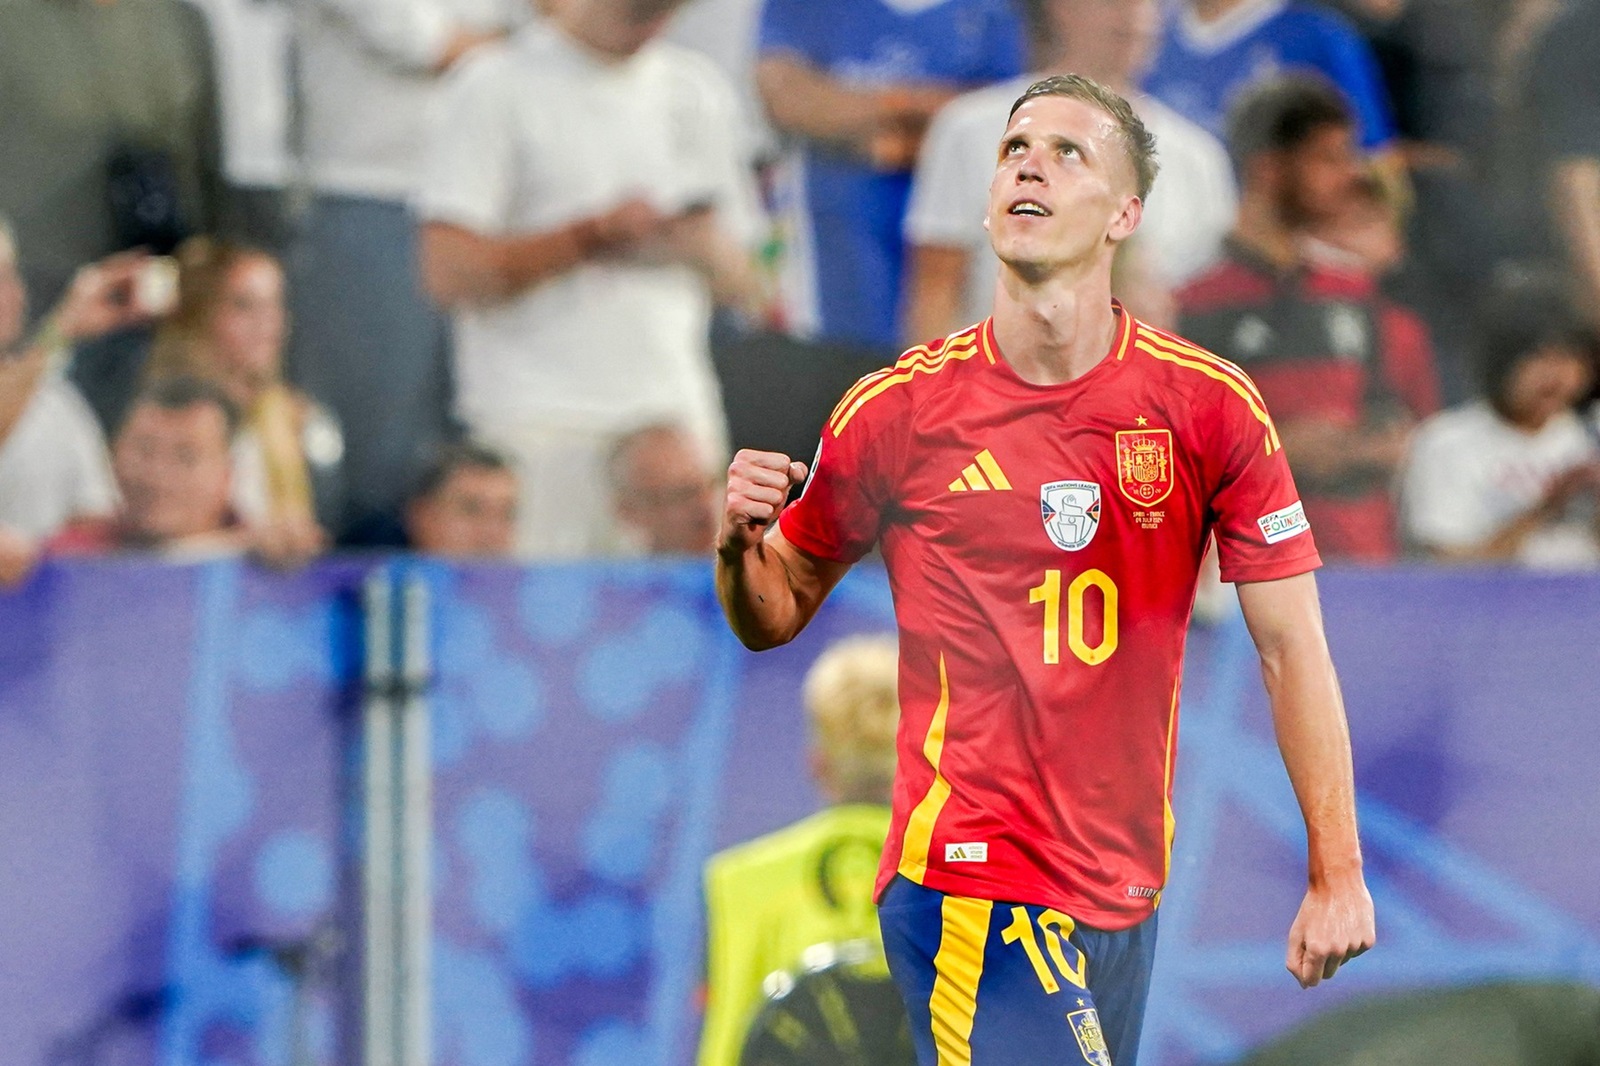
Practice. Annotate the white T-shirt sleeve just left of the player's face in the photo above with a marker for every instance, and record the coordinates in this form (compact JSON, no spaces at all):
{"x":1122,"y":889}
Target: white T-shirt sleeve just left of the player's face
{"x":946,"y":202}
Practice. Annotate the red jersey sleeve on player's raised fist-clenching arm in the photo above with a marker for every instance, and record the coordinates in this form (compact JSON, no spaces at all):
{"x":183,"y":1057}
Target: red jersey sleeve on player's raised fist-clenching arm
{"x":852,"y":486}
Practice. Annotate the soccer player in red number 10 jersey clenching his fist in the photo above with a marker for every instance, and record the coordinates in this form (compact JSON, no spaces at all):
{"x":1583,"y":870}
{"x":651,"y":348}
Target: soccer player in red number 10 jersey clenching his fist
{"x":1044,"y":486}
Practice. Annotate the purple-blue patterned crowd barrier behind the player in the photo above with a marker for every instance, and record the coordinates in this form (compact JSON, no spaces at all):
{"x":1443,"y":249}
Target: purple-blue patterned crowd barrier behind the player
{"x":182,"y":774}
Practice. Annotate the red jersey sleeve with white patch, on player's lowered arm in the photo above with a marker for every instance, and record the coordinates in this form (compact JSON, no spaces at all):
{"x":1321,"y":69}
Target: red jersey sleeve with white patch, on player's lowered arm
{"x":1262,"y":529}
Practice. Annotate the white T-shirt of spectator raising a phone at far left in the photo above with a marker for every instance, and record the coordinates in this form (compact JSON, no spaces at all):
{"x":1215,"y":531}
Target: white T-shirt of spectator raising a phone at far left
{"x":54,"y":465}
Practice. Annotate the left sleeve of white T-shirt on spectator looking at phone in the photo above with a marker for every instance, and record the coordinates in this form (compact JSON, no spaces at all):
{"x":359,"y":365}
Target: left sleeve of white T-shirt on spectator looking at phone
{"x":468,"y":158}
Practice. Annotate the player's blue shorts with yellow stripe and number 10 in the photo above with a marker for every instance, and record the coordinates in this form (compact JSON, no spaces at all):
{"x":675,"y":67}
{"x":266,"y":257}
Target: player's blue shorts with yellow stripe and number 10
{"x":1014,"y":985}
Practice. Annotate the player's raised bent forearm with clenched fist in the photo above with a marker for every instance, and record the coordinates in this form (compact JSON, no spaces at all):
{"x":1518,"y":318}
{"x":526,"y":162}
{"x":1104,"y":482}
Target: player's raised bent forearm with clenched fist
{"x":769,"y":588}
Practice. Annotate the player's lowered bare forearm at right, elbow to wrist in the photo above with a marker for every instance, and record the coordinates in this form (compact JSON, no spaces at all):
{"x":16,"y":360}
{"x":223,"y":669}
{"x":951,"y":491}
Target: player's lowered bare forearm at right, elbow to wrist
{"x":1308,"y":716}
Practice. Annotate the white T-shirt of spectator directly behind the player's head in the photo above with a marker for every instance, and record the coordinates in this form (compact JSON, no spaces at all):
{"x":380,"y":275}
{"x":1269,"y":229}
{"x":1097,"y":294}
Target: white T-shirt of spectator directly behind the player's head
{"x":1191,"y":207}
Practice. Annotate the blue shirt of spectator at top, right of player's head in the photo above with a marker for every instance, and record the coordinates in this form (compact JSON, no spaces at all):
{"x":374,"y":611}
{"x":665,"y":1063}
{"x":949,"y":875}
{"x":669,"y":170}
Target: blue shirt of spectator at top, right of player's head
{"x":1206,"y":62}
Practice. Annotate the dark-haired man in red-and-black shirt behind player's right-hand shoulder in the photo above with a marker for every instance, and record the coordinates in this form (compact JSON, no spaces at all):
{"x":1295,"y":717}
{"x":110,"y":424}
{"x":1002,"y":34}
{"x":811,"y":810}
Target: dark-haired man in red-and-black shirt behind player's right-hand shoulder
{"x":1345,"y":371}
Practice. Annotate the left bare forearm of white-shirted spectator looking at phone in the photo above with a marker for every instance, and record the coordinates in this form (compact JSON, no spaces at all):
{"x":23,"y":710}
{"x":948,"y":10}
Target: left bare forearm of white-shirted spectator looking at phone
{"x":462,"y":268}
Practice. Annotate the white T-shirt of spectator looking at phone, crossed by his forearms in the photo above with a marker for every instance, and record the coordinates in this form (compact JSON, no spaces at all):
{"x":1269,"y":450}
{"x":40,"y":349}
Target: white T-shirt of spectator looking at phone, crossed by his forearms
{"x":538,"y":134}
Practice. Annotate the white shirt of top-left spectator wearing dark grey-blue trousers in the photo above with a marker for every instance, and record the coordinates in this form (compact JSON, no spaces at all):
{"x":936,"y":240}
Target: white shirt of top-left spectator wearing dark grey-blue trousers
{"x":367,"y":79}
